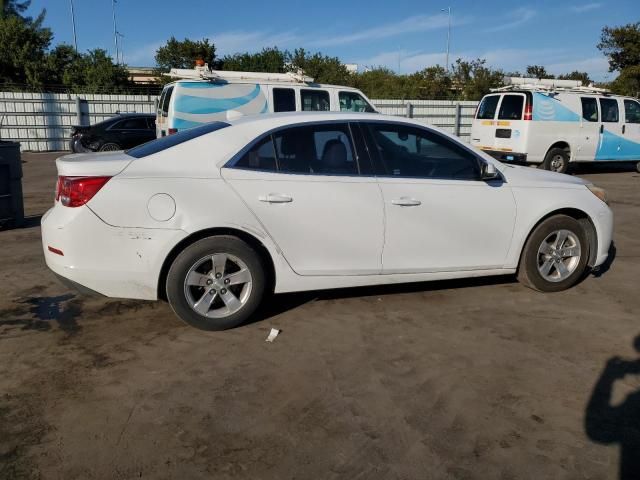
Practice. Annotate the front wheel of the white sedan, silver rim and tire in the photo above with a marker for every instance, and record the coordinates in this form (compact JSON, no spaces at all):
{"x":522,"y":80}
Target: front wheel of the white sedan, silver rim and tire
{"x":555,"y":255}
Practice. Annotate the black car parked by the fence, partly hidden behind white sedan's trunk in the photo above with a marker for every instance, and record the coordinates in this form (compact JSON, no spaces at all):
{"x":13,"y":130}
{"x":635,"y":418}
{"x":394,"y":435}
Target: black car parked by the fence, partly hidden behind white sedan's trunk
{"x":117,"y":133}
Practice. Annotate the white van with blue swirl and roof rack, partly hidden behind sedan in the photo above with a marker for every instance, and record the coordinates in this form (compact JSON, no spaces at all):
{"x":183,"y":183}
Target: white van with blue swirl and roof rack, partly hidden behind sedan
{"x":203,"y":95}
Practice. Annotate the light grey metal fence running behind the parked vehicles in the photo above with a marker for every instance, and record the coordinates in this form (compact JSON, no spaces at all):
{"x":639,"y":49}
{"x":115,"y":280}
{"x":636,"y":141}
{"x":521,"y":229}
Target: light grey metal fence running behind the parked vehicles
{"x":42,"y":121}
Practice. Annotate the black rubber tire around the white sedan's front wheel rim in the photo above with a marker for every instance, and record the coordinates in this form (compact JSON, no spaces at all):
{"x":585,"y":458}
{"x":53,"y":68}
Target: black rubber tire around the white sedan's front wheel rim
{"x":528,"y":272}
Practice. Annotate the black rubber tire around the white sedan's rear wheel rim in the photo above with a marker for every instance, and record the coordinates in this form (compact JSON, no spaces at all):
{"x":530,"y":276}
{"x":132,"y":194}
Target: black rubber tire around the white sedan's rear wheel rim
{"x":190,"y":256}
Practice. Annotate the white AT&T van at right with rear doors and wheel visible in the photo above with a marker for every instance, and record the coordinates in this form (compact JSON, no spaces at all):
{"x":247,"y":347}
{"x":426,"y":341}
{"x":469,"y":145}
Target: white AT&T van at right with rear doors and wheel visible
{"x":554,"y":122}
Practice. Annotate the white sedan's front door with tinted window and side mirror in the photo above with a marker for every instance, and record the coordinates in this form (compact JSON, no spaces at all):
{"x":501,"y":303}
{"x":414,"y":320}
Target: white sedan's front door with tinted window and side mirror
{"x":439,"y":215}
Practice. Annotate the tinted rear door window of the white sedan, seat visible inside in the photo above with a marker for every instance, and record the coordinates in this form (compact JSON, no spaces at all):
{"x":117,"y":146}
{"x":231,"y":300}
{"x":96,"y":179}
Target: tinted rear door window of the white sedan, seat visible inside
{"x":316,"y":149}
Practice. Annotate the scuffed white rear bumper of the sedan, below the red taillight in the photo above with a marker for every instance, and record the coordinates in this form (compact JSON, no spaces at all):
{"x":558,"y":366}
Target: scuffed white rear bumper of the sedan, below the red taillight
{"x":99,"y":258}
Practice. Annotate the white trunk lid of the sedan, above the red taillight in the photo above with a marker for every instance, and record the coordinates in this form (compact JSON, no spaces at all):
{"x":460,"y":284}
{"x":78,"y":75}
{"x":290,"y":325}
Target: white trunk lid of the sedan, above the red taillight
{"x":93,"y":164}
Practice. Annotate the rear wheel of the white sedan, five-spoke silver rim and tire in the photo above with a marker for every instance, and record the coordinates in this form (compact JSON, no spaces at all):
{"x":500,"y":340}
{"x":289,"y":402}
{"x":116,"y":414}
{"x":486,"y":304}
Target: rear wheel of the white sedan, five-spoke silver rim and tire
{"x":216,"y":283}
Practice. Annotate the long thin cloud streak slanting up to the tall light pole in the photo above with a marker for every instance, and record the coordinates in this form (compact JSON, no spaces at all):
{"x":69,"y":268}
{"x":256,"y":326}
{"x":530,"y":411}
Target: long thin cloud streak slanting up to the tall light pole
{"x":417,"y":23}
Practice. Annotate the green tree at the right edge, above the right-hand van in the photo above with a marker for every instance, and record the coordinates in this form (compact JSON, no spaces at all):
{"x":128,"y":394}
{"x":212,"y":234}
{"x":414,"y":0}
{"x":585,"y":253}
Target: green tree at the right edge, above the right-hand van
{"x":621,"y":45}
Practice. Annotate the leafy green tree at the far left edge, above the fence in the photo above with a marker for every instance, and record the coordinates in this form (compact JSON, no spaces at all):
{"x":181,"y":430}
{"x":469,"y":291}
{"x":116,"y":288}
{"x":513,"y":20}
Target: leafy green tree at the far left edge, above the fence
{"x":24,"y":46}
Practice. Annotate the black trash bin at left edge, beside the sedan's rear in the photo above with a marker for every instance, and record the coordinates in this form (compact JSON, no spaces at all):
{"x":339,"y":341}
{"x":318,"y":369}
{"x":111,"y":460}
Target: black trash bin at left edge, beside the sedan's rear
{"x":11,"y":201}
